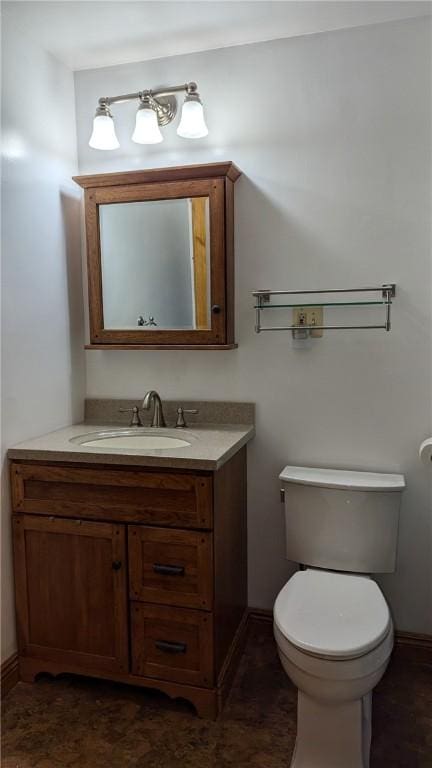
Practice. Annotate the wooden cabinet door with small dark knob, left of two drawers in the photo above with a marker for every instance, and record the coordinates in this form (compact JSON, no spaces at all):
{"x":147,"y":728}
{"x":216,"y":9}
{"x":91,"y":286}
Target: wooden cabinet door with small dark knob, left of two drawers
{"x":71,"y":593}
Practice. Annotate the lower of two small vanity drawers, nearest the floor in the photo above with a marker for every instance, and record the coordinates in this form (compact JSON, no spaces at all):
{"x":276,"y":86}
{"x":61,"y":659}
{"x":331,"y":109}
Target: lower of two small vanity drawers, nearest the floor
{"x":172,"y":644}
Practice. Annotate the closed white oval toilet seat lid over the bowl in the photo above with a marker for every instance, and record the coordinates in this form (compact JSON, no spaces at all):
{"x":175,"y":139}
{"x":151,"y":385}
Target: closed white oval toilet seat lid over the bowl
{"x":332,"y":614}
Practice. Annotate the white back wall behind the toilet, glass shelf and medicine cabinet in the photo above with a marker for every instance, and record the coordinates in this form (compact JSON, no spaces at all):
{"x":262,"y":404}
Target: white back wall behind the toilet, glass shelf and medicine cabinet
{"x":332,"y":133}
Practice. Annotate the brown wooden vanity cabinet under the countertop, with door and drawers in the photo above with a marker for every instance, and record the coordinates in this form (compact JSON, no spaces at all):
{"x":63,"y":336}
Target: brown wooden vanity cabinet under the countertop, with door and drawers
{"x":132,"y":574}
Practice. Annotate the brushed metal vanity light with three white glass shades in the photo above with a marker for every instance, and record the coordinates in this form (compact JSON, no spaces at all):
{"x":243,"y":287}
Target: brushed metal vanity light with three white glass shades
{"x":157,"y":108}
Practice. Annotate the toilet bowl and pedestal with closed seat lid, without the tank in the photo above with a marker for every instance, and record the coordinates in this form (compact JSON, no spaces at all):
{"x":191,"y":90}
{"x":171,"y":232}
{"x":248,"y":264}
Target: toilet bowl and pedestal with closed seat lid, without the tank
{"x":334,"y":636}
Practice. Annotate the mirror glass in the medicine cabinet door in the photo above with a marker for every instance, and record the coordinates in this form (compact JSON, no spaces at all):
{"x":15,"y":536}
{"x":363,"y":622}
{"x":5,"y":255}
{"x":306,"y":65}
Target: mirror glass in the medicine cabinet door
{"x":156,"y":264}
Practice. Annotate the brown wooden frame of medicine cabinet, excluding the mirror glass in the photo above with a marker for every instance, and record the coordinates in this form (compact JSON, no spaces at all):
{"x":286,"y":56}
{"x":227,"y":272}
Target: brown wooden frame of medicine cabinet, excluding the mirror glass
{"x":215,"y":181}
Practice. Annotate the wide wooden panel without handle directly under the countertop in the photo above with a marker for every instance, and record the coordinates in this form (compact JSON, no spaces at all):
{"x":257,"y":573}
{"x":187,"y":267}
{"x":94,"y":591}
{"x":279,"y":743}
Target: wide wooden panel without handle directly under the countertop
{"x":132,"y":495}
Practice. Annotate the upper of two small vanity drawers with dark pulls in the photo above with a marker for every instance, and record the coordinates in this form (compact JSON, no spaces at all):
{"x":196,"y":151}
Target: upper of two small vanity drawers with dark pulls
{"x":171,"y":567}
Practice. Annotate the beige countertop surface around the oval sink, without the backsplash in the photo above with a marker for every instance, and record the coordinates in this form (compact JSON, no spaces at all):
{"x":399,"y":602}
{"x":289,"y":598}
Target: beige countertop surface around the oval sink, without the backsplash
{"x":211,"y":446}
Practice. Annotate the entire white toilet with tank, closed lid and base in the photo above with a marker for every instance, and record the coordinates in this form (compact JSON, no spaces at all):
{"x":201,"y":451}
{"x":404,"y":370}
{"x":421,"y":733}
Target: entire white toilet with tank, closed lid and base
{"x":332,"y":625}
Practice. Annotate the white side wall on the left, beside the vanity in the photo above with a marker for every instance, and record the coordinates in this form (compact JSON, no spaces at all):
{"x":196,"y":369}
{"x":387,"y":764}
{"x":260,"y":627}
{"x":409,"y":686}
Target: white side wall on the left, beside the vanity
{"x":42,"y":308}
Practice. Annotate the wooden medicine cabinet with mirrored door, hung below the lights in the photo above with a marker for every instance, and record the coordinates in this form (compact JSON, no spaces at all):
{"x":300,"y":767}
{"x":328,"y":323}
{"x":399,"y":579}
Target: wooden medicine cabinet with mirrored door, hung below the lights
{"x":160,"y":254}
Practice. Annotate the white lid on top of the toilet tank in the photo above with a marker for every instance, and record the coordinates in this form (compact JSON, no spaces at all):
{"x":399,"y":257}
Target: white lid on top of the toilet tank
{"x":342,"y":478}
